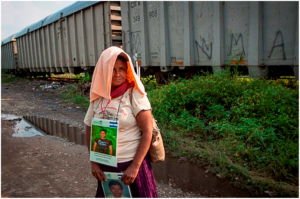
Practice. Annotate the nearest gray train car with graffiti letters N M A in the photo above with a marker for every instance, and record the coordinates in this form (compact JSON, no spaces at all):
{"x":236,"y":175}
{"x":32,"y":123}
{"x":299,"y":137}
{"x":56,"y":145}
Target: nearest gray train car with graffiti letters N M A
{"x":186,"y":34}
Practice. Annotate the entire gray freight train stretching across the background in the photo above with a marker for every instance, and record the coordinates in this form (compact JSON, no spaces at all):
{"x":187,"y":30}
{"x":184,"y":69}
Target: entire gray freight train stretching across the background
{"x":174,"y":37}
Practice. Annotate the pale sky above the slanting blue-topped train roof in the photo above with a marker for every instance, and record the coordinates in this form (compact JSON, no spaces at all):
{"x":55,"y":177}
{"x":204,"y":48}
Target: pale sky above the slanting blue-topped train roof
{"x":17,"y":15}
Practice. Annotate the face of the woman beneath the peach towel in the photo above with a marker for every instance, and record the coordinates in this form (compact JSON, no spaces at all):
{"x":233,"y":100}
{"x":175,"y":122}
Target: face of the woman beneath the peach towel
{"x":119,"y":74}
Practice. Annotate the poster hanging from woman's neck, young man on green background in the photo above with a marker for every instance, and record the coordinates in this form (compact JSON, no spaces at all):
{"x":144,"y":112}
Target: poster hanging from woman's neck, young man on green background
{"x":103,"y":145}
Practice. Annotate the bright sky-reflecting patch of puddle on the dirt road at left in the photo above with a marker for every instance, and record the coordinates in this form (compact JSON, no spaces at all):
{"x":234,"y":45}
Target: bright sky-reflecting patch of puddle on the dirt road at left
{"x":22,"y":127}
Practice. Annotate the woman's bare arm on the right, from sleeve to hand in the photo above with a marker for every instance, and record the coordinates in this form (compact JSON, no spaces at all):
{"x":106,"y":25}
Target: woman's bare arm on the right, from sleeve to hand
{"x":145,"y":121}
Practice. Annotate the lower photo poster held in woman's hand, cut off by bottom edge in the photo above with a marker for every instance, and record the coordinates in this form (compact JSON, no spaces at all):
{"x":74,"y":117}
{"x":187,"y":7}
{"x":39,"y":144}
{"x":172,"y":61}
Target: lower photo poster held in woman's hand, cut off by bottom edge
{"x":114,"y":187}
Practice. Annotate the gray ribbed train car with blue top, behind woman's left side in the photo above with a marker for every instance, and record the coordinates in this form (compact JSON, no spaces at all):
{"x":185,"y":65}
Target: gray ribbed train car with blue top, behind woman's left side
{"x":70,"y":40}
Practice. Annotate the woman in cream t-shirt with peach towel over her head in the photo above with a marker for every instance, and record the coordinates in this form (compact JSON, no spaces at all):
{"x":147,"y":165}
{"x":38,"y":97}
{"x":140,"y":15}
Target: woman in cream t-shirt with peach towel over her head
{"x":117,"y":93}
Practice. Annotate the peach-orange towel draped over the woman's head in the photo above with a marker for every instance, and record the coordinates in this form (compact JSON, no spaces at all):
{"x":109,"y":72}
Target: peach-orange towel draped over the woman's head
{"x":102,"y":76}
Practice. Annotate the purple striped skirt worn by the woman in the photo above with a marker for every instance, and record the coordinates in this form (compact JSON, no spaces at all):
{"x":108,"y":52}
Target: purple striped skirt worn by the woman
{"x":144,"y":186}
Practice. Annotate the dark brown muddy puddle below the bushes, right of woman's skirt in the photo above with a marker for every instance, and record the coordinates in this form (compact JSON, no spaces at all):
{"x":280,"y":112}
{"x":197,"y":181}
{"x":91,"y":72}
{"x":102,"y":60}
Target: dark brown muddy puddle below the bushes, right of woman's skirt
{"x":189,"y":177}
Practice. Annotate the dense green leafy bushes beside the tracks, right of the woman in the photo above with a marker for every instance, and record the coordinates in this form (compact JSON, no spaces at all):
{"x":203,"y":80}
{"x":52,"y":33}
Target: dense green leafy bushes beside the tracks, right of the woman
{"x":245,"y":123}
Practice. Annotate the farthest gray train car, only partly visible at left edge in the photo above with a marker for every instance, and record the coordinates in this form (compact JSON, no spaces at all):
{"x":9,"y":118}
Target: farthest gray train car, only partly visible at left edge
{"x":9,"y":60}
